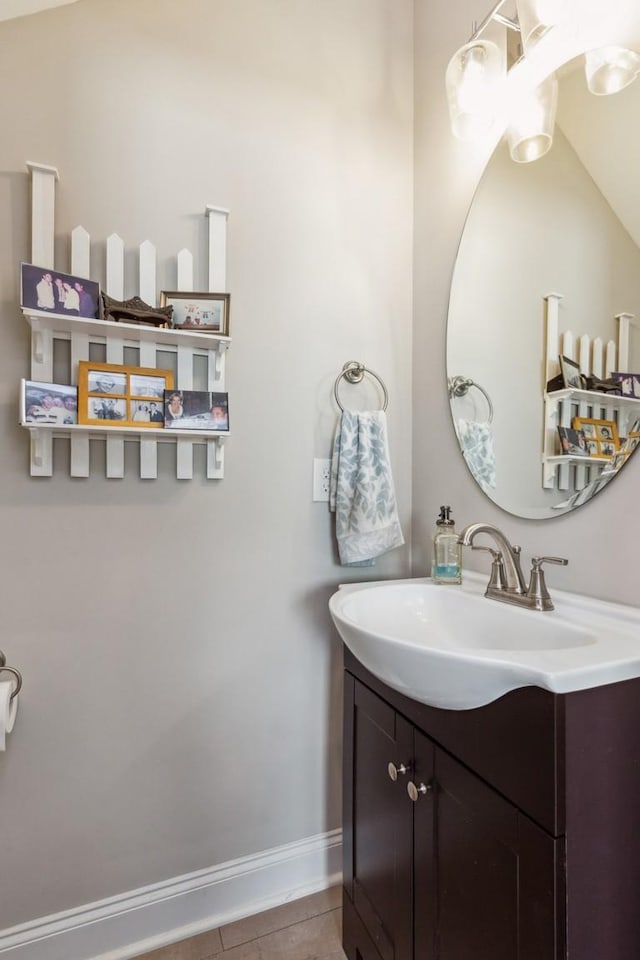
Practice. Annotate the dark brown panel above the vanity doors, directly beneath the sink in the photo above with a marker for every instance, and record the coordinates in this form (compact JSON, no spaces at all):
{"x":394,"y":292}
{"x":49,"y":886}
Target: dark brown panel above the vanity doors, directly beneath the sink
{"x":516,"y":743}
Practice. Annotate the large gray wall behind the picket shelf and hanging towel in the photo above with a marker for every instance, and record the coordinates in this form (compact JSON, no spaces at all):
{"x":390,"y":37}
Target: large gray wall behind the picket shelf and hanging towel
{"x":182,"y":681}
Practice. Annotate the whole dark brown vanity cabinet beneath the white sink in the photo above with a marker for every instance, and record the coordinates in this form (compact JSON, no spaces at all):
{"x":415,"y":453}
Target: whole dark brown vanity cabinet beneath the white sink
{"x":520,"y":839}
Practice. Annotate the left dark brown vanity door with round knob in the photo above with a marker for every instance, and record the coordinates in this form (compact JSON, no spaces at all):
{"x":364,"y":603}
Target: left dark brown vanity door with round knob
{"x":378,"y":822}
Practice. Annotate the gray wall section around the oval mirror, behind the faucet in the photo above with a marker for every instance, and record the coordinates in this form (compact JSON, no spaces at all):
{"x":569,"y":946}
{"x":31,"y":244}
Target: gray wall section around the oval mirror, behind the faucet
{"x":598,"y":539}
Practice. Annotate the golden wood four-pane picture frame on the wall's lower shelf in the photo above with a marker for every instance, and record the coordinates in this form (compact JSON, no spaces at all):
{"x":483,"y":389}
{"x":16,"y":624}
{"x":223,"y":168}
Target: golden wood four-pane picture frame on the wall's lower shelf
{"x":118,"y":395}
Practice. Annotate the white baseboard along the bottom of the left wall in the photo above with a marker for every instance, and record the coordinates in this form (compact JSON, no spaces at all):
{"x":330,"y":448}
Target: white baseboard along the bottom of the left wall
{"x":142,"y":920}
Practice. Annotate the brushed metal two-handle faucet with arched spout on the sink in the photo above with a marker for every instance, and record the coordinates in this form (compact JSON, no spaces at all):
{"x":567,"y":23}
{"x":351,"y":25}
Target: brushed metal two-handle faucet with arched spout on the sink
{"x":507,"y":581}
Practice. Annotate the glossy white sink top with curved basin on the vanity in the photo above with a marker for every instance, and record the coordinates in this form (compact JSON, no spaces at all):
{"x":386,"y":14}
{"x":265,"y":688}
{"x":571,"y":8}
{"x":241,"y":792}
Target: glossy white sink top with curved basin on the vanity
{"x":451,"y":647}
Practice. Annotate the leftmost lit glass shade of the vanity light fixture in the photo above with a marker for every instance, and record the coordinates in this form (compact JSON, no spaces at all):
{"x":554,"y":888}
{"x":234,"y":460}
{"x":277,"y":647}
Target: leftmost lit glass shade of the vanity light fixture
{"x":472,"y":80}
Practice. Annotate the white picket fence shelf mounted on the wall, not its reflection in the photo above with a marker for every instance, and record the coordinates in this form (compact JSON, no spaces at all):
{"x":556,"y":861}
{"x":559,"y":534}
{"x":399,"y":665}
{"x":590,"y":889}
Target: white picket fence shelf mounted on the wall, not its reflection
{"x":114,"y":338}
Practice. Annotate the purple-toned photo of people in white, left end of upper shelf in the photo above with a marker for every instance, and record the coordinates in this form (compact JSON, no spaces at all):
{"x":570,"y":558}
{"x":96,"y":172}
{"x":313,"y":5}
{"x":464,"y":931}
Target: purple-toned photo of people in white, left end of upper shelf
{"x":55,"y":292}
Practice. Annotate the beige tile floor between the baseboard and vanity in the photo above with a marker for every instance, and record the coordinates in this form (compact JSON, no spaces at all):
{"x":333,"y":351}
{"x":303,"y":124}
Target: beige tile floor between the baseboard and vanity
{"x":305,"y":929}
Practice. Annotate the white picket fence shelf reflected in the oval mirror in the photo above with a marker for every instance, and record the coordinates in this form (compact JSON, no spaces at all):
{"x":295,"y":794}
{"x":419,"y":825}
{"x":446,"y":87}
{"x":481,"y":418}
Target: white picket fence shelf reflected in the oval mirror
{"x":595,"y":358}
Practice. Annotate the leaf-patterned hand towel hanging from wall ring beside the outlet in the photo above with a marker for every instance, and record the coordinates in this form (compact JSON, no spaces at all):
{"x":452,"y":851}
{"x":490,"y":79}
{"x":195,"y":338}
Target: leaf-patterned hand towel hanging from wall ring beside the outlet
{"x":361,"y":489}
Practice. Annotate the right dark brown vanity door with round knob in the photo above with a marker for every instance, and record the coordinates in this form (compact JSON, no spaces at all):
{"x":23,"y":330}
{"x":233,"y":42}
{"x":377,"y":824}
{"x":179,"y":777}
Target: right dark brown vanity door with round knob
{"x":494,"y":876}
